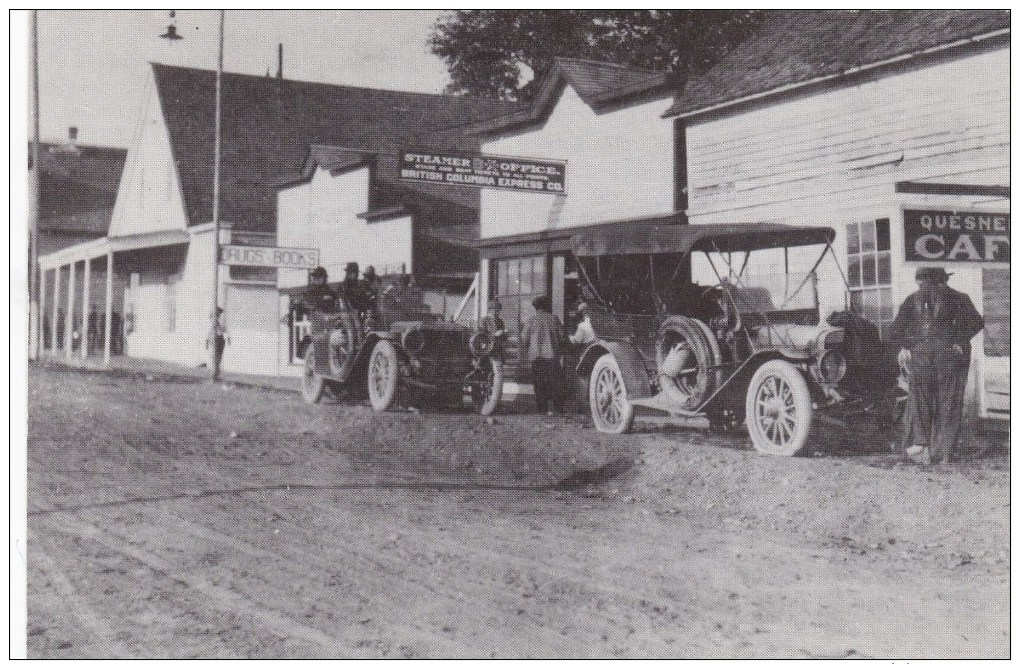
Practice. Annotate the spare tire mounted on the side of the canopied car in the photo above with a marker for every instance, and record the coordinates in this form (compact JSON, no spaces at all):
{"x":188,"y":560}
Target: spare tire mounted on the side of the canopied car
{"x":688,"y":379}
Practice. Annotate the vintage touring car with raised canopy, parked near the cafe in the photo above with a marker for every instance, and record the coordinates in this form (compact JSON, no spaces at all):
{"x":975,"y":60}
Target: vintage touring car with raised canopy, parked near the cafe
{"x":750,"y":348}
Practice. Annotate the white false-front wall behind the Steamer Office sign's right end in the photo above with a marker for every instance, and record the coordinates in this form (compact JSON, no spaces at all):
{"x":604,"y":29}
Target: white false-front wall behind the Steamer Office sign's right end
{"x":620,"y":166}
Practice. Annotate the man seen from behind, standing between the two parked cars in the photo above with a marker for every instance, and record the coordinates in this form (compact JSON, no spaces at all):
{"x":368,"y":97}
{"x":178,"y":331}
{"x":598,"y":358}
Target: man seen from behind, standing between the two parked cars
{"x":543,"y":343}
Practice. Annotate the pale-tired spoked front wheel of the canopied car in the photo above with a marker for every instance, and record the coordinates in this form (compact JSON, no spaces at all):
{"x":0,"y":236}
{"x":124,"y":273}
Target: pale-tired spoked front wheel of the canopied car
{"x":779,"y":410}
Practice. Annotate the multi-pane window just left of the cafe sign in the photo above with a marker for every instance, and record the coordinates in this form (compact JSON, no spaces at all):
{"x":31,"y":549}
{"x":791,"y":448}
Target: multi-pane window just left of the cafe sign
{"x":870,"y":272}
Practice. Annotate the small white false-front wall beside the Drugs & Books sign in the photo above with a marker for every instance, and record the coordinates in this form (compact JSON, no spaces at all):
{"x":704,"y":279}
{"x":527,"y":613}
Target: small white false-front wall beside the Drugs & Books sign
{"x":323,"y":214}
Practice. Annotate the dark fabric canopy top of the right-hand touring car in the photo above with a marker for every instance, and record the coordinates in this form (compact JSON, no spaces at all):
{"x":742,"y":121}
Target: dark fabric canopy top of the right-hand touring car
{"x":683,"y":239}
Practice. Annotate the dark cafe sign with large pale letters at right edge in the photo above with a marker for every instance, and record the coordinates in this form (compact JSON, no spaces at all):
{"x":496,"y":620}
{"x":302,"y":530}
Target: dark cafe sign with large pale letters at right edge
{"x":956,"y":237}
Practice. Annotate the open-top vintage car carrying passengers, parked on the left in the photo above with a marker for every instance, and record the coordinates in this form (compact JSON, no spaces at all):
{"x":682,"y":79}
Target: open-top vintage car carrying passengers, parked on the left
{"x":402,"y":350}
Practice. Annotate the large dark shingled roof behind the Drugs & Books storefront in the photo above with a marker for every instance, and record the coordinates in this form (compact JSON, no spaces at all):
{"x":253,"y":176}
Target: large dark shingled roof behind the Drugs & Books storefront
{"x":269,"y":126}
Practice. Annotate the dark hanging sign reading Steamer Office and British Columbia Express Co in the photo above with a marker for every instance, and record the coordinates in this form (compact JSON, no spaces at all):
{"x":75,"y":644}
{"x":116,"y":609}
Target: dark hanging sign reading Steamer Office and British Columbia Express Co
{"x":485,"y":171}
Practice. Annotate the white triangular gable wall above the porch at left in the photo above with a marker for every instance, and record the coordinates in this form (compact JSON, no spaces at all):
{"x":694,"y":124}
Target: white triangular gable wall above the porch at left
{"x":149,"y":196}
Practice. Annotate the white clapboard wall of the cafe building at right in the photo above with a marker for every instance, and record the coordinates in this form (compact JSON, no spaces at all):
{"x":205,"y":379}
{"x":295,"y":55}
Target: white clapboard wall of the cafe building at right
{"x":834,"y":158}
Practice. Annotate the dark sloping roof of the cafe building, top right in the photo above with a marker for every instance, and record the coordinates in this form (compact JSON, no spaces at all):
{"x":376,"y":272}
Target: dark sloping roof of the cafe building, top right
{"x":799,"y":47}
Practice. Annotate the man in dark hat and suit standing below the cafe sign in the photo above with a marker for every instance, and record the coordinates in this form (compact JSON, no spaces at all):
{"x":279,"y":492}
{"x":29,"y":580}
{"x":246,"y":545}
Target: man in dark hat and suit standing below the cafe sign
{"x":934,"y":329}
